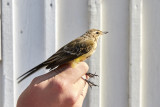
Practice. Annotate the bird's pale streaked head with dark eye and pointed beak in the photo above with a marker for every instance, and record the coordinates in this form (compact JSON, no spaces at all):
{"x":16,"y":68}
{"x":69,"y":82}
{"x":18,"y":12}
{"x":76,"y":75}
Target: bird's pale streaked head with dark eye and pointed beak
{"x":95,"y":33}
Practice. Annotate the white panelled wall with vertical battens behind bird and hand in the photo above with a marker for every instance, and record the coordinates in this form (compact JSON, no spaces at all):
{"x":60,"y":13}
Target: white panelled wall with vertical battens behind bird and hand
{"x":127,"y":59}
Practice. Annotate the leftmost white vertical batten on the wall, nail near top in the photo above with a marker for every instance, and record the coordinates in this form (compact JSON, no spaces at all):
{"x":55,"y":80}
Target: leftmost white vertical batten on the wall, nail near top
{"x":7,"y":54}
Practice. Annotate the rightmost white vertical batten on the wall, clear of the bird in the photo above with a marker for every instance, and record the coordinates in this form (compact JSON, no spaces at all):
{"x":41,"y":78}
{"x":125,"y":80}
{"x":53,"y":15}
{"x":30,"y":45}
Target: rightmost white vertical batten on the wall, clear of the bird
{"x":135,"y":53}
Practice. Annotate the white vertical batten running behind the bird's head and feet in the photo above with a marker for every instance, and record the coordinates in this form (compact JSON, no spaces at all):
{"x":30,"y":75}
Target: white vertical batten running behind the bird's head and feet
{"x":95,"y":60}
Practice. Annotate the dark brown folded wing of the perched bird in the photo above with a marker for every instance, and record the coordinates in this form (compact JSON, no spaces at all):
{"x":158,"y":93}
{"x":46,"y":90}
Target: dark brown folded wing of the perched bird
{"x":72,"y":50}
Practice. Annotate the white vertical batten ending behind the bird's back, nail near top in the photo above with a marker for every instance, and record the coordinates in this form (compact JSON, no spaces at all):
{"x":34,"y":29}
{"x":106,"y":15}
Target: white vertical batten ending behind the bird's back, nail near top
{"x":50,"y":27}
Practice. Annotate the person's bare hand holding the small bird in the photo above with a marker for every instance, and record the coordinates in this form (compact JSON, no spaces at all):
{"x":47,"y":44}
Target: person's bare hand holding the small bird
{"x":66,"y":89}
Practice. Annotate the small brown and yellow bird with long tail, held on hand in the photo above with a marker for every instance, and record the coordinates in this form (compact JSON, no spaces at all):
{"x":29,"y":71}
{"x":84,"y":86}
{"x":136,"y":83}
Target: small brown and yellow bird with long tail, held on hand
{"x":76,"y":51}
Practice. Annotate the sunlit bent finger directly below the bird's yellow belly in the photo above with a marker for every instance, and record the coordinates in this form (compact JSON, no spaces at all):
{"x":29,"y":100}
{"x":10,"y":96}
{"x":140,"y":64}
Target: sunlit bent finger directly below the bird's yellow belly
{"x":74,"y":74}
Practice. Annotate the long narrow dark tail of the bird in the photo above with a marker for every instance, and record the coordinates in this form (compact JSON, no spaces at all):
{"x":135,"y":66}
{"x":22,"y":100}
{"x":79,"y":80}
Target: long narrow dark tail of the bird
{"x":28,"y":73}
